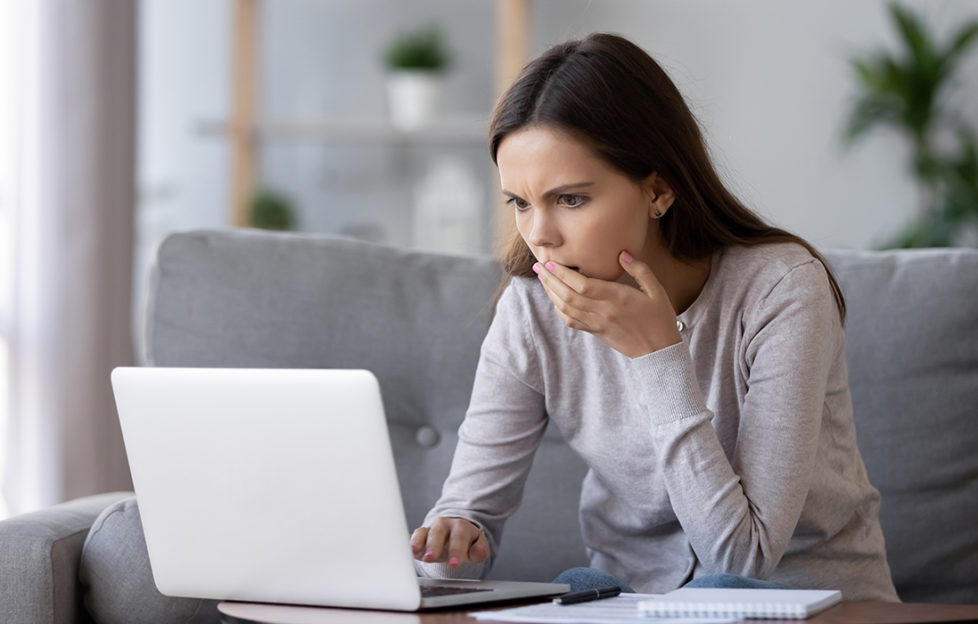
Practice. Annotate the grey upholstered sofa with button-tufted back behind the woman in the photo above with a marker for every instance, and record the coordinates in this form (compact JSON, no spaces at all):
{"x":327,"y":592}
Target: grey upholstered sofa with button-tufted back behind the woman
{"x":248,"y":299}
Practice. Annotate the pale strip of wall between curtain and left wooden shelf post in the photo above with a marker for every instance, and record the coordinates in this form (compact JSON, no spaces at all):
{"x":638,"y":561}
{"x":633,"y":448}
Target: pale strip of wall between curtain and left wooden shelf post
{"x":182,"y":74}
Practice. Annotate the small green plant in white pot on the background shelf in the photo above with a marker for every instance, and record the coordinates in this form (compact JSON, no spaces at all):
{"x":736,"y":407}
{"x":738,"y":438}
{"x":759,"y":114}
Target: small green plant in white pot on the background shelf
{"x":416,"y":62}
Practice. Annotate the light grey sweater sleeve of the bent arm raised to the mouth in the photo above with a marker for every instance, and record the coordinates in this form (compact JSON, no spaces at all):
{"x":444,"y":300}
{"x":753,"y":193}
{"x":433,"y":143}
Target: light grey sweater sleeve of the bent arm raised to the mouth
{"x":740,"y":514}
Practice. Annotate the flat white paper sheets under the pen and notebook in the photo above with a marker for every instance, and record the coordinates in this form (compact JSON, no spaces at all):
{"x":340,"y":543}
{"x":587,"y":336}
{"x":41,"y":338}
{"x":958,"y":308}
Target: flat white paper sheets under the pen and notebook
{"x":617,"y":610}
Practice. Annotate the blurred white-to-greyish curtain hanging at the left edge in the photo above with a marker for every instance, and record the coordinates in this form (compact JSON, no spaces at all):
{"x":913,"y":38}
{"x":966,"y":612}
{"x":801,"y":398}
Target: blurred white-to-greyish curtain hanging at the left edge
{"x":71,"y":195}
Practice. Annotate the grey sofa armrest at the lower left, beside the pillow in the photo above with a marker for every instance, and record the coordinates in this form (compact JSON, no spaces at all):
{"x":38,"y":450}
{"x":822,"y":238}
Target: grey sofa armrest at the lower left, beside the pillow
{"x":39,"y":555}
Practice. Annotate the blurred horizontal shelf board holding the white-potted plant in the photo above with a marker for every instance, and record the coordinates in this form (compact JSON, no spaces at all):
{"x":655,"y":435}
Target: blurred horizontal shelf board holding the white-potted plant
{"x":459,"y":131}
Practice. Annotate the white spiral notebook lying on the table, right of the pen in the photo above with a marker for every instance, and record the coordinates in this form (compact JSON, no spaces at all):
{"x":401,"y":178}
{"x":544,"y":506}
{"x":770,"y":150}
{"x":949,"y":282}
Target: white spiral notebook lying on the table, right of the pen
{"x":740,"y":603}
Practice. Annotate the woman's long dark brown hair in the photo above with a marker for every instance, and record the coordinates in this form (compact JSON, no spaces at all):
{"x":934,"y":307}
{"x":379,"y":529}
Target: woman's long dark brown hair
{"x":608,"y":93}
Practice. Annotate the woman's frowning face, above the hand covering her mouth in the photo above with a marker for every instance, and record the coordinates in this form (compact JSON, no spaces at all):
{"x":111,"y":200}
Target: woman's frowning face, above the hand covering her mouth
{"x":572,"y":207}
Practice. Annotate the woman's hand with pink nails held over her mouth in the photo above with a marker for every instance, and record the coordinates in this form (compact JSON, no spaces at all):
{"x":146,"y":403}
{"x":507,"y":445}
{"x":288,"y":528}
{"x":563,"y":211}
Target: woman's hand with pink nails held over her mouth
{"x":633,"y":321}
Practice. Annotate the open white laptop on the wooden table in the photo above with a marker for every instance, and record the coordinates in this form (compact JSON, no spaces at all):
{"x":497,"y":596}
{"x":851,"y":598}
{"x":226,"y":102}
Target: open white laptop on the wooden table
{"x":277,"y":486}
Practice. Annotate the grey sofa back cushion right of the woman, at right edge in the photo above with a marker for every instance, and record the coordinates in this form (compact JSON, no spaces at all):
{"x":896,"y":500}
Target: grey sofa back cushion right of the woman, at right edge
{"x":912,"y":353}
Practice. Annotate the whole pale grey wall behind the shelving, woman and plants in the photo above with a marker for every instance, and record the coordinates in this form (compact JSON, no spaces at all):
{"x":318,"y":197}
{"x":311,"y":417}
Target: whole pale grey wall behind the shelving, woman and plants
{"x":769,"y":81}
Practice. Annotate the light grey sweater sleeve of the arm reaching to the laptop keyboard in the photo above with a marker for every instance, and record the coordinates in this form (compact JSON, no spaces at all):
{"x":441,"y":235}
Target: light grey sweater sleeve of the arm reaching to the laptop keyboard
{"x":497,"y":439}
